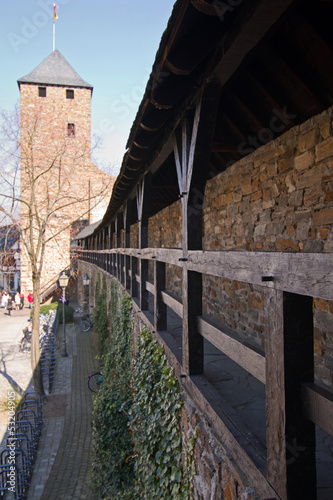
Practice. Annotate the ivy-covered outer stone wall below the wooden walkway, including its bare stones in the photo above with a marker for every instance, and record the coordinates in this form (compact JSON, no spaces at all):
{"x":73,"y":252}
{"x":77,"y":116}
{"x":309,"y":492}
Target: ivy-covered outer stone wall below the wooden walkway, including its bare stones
{"x":150,"y":439}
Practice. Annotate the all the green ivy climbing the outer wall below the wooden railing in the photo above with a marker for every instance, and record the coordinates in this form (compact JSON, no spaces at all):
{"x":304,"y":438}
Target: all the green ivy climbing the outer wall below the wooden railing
{"x":139,"y":452}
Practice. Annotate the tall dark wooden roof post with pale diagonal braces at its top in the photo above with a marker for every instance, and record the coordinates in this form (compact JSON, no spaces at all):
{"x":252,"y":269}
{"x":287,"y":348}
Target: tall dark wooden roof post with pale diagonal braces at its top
{"x":192,"y":173}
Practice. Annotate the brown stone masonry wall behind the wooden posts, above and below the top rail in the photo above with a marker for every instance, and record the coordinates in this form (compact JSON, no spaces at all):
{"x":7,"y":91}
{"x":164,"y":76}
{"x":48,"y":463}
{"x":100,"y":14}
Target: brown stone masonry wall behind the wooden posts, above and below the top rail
{"x":279,"y":198}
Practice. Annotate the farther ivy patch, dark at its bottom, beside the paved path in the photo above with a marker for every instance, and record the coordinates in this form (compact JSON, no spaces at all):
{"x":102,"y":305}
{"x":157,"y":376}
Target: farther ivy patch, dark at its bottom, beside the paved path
{"x":112,"y":469}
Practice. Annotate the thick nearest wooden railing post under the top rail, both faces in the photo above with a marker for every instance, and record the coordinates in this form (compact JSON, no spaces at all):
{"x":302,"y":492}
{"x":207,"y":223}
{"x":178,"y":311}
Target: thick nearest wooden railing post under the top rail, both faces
{"x":291,"y":466}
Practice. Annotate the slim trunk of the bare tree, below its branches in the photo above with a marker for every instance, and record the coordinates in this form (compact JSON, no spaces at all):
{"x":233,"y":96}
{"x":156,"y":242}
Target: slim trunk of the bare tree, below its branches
{"x":35,"y":347}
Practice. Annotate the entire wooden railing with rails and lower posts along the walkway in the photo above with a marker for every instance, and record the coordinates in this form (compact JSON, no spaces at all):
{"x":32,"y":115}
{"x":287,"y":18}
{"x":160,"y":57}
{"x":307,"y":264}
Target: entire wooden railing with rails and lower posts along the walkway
{"x":280,"y":274}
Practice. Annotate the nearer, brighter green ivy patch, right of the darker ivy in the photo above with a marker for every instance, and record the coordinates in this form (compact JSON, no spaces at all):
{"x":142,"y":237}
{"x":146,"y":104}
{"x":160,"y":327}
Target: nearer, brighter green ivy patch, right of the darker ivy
{"x":155,"y":418}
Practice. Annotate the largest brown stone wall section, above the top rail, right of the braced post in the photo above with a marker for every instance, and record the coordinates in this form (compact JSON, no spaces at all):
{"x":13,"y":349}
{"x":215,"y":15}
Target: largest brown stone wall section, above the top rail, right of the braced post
{"x":280,"y":198}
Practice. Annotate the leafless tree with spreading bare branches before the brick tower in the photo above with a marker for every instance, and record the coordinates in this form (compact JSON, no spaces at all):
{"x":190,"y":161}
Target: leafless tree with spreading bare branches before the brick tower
{"x":48,"y":182}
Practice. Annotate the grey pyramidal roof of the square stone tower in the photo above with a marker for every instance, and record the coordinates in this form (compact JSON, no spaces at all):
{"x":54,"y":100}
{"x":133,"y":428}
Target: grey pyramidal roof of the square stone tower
{"x":55,"y":70}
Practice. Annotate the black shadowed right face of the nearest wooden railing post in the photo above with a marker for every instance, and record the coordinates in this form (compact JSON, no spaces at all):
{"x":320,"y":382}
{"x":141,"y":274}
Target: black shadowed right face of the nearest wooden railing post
{"x":299,"y":369}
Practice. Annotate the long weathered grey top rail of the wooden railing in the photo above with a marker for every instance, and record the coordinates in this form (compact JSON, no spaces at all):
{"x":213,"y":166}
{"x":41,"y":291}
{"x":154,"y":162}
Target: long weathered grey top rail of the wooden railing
{"x":301,"y":273}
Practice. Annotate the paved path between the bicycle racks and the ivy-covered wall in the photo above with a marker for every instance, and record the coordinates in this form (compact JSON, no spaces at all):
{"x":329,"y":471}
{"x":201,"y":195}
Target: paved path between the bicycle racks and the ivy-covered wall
{"x":61,"y":470}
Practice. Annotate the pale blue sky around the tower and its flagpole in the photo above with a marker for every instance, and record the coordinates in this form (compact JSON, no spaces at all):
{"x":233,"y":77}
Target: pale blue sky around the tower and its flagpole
{"x":110,"y":44}
